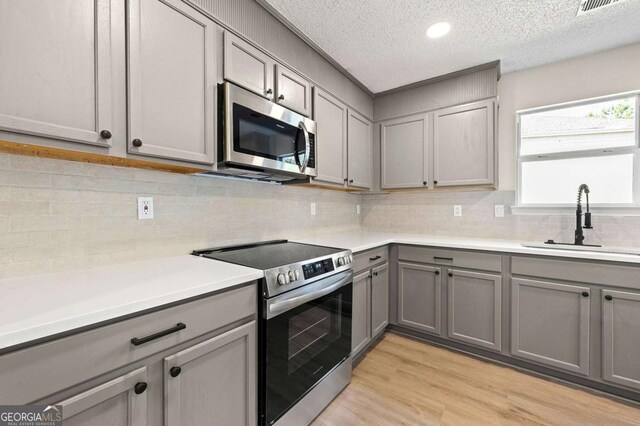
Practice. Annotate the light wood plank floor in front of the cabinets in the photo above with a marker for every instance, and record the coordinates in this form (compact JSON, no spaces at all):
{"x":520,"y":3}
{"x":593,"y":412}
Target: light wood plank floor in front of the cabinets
{"x":405,"y":382}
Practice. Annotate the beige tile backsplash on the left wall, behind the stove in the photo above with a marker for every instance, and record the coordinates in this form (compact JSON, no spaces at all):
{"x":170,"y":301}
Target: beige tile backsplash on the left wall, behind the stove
{"x":60,"y":215}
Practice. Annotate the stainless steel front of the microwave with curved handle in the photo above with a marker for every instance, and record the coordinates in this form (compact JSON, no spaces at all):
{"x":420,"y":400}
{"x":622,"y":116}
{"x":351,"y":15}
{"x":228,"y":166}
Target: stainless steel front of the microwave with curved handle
{"x":259,"y":133}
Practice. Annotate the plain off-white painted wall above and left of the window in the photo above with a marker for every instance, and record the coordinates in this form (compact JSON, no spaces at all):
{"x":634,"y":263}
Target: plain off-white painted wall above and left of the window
{"x":604,"y":73}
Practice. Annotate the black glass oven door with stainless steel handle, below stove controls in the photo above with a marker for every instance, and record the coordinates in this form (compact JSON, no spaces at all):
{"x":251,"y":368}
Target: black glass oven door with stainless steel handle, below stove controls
{"x":304,"y":337}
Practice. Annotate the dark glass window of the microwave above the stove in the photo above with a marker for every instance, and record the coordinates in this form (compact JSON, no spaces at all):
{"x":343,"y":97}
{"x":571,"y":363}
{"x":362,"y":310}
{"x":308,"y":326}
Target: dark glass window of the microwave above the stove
{"x":263,"y":136}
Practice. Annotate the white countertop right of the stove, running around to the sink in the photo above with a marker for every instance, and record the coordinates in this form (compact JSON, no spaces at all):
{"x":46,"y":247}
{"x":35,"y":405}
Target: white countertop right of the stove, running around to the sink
{"x":360,"y":241}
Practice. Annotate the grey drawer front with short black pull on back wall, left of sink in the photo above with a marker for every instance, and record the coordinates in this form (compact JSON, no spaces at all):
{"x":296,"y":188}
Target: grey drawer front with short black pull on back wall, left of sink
{"x":460,"y":259}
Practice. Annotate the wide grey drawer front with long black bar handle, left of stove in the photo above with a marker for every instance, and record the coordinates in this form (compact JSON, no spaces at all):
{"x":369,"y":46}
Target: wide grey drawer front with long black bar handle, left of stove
{"x":34,"y":373}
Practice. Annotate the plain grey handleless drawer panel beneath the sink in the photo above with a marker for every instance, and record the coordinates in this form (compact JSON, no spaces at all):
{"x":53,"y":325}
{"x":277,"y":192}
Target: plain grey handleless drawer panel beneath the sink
{"x":583,"y":272}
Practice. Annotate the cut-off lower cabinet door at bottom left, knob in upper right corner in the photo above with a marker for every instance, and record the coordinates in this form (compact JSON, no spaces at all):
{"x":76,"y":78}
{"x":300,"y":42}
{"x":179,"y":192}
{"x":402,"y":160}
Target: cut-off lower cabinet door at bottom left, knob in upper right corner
{"x":119,"y":402}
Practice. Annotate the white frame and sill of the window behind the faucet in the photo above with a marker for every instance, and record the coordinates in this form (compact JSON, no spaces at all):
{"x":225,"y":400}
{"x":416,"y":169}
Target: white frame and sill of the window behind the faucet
{"x":632,"y":209}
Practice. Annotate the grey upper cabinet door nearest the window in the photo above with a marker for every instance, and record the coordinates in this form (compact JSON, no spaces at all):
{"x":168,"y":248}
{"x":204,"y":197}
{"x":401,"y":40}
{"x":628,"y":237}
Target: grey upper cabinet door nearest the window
{"x":464,"y":145}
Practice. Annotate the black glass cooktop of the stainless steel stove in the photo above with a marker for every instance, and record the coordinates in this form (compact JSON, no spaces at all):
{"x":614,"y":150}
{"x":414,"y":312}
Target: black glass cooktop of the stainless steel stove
{"x":267,"y":255}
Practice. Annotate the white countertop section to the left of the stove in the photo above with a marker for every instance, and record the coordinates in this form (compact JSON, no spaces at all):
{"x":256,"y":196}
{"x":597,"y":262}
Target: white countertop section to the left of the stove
{"x":36,"y":307}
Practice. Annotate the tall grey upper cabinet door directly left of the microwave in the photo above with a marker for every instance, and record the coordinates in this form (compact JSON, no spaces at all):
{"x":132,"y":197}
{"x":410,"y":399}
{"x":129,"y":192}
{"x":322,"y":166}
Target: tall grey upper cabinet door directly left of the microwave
{"x":172,"y":81}
